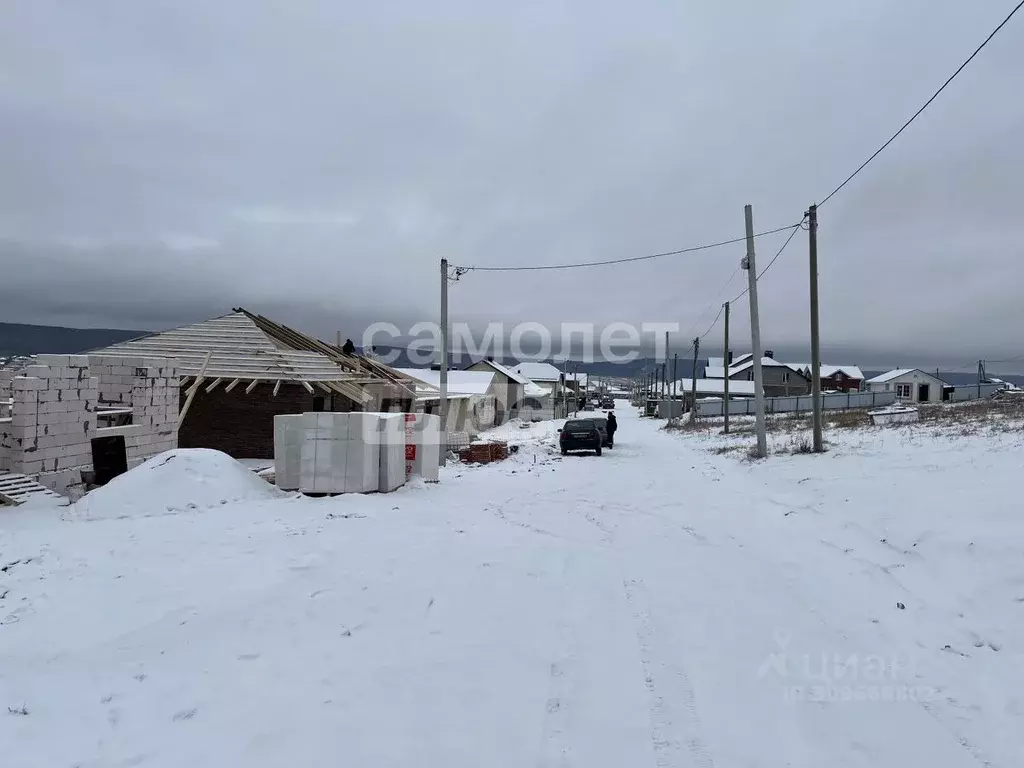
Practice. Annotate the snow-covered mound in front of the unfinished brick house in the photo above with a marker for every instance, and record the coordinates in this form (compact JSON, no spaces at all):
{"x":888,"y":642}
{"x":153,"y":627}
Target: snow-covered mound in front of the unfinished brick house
{"x":176,"y":481}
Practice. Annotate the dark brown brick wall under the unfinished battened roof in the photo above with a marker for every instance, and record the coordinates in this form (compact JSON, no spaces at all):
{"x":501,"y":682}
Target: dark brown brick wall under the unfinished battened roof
{"x":242,"y":425}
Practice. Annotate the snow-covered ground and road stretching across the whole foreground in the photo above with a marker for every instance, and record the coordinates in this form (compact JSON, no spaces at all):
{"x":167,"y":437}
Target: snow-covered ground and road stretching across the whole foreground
{"x":661,"y":606}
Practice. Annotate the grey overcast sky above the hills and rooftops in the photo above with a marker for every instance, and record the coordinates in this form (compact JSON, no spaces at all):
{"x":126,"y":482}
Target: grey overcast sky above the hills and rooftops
{"x":168,"y":160}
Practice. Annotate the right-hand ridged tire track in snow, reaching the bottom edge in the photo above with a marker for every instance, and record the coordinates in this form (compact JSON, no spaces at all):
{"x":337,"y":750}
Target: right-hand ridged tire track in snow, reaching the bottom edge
{"x":662,"y":682}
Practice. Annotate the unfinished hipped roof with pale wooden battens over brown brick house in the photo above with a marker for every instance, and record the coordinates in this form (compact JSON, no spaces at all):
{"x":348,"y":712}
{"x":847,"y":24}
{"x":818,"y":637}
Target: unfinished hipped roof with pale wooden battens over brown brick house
{"x":243,"y":347}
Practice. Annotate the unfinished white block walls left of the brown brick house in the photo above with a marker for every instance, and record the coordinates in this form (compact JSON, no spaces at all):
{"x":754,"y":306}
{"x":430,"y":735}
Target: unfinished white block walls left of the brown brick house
{"x":54,"y":418}
